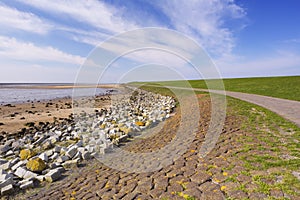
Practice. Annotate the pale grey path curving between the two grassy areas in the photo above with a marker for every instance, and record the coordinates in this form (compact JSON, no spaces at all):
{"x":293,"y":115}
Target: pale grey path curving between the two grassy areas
{"x":288,"y":109}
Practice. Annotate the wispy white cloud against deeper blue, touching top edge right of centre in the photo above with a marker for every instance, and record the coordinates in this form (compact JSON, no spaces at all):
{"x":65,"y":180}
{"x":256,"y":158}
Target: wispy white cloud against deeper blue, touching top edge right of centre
{"x":204,"y":20}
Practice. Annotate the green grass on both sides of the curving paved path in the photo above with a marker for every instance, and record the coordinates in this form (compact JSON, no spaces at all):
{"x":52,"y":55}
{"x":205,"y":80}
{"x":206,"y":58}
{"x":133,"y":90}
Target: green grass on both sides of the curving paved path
{"x":268,"y":149}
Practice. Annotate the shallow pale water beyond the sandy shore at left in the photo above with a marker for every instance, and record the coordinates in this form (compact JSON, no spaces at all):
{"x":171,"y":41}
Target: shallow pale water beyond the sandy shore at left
{"x":11,"y":93}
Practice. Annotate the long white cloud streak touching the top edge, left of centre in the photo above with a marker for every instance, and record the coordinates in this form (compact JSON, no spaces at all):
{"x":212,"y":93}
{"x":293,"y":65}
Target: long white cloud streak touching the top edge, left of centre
{"x":93,"y":12}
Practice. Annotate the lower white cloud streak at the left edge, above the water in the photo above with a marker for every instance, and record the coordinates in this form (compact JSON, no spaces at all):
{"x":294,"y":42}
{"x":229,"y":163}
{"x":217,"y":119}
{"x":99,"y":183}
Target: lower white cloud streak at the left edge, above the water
{"x":12,"y":49}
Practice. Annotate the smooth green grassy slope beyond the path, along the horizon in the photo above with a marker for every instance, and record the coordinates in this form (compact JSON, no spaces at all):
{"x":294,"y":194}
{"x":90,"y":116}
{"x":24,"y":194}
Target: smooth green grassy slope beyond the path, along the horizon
{"x":280,"y":87}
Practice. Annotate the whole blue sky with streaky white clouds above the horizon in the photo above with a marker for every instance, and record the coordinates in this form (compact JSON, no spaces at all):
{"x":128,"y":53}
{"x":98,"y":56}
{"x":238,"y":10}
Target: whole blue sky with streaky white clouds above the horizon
{"x":48,"y":41}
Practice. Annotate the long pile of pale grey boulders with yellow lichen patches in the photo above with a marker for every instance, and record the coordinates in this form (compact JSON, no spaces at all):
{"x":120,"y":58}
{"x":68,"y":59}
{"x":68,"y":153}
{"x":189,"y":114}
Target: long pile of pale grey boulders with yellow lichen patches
{"x":45,"y":155}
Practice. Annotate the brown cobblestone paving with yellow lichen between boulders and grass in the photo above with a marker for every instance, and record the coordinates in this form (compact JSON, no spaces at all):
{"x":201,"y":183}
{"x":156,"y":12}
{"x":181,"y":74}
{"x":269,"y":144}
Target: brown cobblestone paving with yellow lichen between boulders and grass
{"x":220,"y":175}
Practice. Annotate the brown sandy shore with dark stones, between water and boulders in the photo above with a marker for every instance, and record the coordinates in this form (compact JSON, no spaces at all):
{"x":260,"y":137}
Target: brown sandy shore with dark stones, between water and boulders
{"x":14,"y":117}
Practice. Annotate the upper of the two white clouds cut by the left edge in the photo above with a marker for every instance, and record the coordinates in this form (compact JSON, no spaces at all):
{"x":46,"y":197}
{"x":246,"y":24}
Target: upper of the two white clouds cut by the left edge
{"x":15,"y":19}
